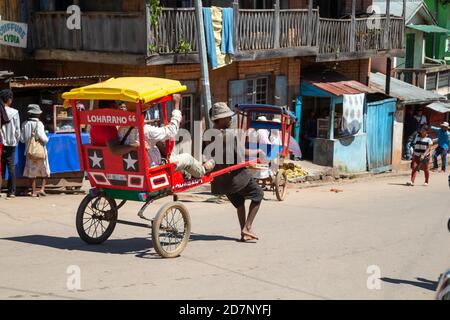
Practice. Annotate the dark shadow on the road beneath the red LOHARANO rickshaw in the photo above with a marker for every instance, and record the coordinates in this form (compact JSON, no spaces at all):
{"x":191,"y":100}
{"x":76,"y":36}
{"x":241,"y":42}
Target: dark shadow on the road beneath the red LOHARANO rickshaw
{"x":140,"y":247}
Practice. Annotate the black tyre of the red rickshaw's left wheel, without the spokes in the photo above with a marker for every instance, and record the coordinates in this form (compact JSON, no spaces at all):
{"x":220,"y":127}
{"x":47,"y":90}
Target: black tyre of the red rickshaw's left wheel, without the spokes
{"x":82,"y":212}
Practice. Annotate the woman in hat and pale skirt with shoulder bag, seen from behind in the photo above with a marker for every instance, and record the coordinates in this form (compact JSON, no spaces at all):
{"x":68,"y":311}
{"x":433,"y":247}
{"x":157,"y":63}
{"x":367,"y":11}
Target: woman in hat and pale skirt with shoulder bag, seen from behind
{"x":33,"y":135}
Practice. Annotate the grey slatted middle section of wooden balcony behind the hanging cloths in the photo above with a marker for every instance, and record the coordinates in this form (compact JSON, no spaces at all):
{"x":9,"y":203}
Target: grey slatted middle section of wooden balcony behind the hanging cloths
{"x":259,"y":34}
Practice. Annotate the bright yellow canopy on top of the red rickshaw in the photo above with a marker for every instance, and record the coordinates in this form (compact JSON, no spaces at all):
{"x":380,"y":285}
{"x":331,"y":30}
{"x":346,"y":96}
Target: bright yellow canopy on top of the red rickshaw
{"x":131,"y":89}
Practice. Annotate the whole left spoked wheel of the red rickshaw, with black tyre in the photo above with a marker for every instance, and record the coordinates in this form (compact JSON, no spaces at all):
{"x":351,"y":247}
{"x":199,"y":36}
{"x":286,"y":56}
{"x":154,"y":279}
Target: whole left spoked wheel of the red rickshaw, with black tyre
{"x":96,"y":219}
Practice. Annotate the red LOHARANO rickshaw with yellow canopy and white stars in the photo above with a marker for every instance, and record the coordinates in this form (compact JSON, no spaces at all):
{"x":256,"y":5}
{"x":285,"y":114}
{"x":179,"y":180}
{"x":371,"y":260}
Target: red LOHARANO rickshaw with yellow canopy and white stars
{"x":129,"y":177}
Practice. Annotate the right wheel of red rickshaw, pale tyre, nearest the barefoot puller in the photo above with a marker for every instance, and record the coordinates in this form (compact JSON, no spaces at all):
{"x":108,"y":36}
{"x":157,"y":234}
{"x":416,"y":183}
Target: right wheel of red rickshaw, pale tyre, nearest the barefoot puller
{"x":171,"y":230}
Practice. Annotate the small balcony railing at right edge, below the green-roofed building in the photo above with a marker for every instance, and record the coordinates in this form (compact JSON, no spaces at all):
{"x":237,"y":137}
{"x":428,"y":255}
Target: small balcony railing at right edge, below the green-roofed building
{"x":433,"y":78}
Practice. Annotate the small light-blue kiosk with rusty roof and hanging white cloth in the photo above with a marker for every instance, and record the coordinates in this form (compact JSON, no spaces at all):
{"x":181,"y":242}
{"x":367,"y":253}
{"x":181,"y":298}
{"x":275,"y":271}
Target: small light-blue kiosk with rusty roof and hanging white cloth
{"x":341,"y":110}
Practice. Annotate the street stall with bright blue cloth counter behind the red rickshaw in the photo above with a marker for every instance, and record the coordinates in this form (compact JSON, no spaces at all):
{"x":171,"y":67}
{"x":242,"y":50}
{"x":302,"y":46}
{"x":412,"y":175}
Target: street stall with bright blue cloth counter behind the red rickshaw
{"x":58,"y":123}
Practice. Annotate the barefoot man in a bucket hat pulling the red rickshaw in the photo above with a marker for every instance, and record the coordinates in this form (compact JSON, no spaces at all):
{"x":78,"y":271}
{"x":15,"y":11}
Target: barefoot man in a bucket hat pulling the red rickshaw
{"x":237,"y":185}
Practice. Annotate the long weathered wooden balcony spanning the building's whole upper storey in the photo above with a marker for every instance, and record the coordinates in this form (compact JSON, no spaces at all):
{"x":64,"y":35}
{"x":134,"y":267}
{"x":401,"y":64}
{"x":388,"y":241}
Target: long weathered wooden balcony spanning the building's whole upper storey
{"x":258,"y":34}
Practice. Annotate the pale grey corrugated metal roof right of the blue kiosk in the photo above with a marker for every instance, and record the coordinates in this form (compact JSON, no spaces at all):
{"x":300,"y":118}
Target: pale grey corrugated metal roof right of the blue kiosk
{"x":404,"y":92}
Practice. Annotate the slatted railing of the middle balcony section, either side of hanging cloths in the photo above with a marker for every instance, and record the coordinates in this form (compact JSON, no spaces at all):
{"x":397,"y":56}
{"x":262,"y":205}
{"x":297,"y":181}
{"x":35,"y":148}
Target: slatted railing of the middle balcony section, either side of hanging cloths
{"x":256,"y":30}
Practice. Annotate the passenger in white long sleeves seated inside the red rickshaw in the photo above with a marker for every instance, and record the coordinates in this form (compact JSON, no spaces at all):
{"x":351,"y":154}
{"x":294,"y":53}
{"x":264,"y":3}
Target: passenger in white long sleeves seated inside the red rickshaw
{"x":184,"y":162}
